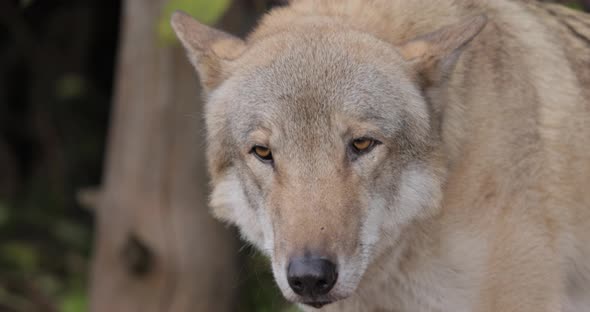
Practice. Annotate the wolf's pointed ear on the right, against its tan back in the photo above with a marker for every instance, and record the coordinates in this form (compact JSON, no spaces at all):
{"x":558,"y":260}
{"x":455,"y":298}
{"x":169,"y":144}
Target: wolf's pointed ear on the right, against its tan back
{"x":434,"y":55}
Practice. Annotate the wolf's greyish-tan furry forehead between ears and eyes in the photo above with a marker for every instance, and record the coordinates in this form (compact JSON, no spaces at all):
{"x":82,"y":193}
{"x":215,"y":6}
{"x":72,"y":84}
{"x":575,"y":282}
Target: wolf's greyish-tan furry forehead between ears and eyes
{"x":312,"y":77}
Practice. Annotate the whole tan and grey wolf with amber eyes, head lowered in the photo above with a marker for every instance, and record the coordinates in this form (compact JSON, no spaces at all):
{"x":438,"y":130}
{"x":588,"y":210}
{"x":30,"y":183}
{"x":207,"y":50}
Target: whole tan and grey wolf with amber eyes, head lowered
{"x":394,"y":155}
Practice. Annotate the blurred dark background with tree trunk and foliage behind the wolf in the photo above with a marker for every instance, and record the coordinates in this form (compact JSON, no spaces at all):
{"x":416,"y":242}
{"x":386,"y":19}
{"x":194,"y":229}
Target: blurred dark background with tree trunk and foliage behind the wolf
{"x":103,"y":190}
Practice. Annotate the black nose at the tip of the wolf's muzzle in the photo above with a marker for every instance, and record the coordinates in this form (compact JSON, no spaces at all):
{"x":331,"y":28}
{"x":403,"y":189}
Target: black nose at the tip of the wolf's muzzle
{"x":311,"y":277}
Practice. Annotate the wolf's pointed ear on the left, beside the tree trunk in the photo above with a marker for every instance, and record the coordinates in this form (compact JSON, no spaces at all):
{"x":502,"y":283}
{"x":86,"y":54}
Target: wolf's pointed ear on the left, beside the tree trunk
{"x":208,"y":49}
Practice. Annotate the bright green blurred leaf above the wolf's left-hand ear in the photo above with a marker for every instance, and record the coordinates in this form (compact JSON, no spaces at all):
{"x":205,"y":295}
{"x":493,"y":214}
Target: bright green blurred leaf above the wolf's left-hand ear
{"x":206,"y":11}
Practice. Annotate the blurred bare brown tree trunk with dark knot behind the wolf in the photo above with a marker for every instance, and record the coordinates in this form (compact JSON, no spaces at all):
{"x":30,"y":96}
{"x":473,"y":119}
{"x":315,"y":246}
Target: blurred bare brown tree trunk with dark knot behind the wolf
{"x":157,"y":248}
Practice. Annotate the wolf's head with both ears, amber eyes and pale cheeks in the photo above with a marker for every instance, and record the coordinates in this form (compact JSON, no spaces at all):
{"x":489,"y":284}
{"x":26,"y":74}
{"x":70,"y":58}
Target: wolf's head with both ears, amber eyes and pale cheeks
{"x":323,"y":143}
